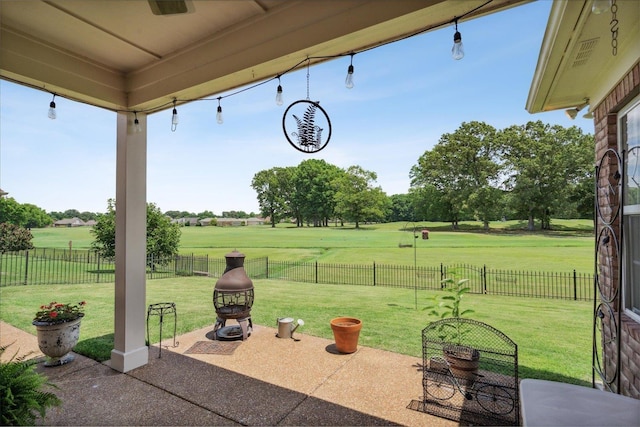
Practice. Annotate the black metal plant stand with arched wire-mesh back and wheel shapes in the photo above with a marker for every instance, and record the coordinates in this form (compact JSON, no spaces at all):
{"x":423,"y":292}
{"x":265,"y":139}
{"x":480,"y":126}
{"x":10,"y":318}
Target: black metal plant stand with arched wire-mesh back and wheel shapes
{"x":472,"y":378}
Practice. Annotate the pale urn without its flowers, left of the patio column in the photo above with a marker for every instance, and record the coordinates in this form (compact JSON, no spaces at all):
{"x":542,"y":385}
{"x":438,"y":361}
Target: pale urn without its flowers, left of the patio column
{"x":56,"y":340}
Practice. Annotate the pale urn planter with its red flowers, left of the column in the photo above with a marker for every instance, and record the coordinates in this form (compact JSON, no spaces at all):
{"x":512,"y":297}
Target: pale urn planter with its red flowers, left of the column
{"x":58,"y":327}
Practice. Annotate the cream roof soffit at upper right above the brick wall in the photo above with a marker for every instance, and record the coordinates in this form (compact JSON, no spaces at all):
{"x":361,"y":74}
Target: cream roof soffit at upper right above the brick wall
{"x":576,"y":60}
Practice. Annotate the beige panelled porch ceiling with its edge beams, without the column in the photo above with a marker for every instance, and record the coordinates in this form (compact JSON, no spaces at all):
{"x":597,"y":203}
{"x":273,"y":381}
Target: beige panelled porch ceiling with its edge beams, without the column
{"x":121,"y":56}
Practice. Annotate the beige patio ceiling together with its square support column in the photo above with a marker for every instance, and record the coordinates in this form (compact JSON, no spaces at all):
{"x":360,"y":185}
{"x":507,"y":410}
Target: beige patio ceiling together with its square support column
{"x":143,"y":57}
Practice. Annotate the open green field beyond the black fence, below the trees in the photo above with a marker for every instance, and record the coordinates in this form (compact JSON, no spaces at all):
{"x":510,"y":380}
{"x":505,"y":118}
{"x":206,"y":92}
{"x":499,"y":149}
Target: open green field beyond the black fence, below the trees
{"x":568,"y":247}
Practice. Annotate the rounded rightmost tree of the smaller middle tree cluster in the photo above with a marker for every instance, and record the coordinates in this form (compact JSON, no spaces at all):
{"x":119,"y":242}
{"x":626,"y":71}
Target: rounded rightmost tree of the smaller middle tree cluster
{"x":357,"y":199}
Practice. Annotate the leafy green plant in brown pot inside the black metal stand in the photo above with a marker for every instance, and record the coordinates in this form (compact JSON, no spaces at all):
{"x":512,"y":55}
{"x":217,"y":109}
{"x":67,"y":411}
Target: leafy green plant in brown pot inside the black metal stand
{"x":463,"y":359}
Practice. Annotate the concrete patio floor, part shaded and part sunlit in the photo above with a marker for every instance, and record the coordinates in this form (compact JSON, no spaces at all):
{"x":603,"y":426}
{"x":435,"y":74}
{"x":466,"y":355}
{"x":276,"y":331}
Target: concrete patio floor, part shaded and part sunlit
{"x":264,"y":380}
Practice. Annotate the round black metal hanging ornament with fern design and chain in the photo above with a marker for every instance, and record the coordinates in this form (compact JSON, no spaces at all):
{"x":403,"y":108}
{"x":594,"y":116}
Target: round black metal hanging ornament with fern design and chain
{"x":306,"y":124}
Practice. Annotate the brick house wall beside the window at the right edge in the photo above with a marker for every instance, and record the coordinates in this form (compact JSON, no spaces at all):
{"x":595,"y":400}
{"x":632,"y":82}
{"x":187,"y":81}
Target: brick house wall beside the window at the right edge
{"x":605,"y":120}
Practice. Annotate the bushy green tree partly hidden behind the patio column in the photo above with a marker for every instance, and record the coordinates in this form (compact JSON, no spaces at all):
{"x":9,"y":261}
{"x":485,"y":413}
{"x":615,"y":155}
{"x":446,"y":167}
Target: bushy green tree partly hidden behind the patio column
{"x":163,"y":237}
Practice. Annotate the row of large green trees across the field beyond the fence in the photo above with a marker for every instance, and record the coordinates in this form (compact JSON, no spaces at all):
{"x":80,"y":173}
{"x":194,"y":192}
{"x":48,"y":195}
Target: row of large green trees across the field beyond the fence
{"x":529,"y":172}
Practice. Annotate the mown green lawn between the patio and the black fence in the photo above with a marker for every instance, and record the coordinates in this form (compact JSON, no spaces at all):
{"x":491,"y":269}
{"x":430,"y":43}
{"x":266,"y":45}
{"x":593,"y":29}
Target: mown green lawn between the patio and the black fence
{"x":548,"y":347}
